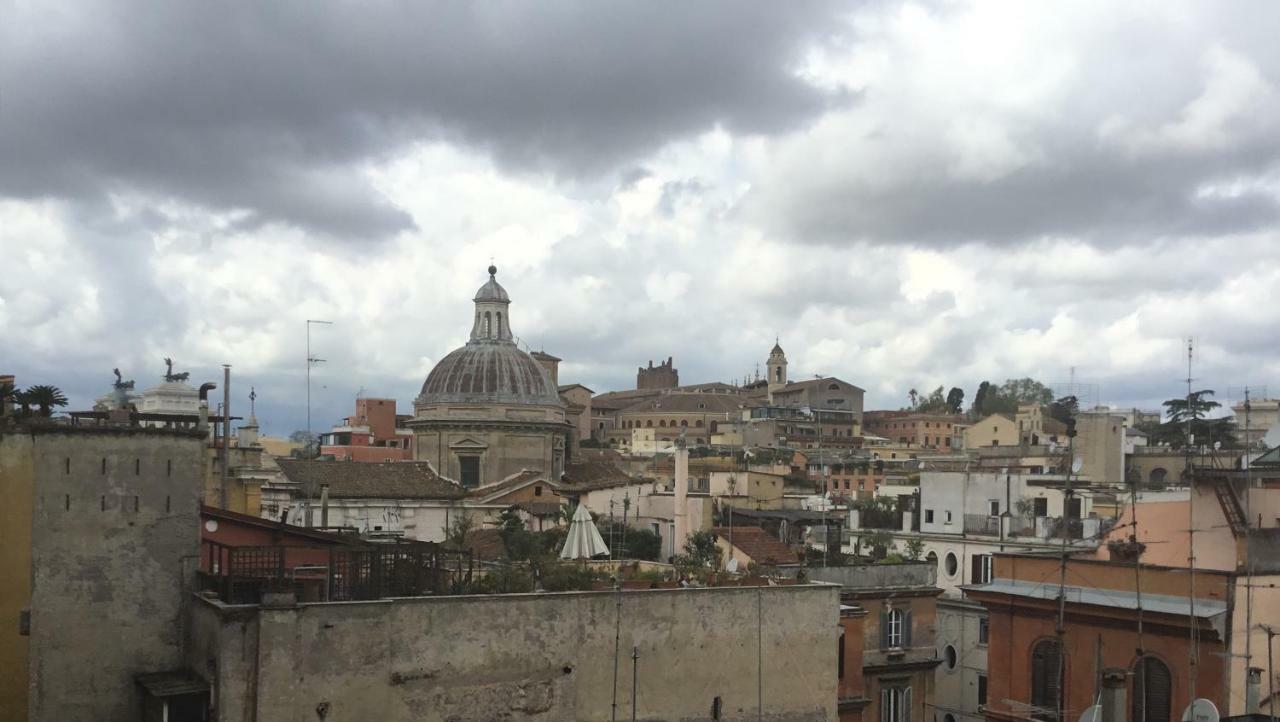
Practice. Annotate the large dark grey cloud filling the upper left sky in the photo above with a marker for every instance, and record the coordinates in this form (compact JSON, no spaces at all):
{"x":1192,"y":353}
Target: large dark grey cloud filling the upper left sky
{"x":275,"y":108}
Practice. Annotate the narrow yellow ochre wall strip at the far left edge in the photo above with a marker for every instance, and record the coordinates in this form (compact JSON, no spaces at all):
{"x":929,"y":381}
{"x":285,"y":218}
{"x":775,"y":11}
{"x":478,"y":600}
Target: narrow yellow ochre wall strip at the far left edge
{"x":17,"y":481}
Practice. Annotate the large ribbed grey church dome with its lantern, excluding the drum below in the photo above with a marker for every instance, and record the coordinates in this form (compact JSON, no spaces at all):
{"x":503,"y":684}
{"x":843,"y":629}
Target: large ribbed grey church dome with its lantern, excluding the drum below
{"x":491,"y":368}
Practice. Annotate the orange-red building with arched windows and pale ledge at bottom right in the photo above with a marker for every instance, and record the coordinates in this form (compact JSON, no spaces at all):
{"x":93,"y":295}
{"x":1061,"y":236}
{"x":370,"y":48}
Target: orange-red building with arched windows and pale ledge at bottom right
{"x":1030,"y":662}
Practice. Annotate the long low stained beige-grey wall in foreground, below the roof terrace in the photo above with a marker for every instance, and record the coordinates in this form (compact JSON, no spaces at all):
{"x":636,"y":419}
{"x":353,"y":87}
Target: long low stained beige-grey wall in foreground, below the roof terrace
{"x":528,"y":656}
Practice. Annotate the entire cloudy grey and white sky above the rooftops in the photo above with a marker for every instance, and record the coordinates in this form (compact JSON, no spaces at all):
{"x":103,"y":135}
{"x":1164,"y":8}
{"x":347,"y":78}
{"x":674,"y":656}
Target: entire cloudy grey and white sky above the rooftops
{"x":908,"y":195}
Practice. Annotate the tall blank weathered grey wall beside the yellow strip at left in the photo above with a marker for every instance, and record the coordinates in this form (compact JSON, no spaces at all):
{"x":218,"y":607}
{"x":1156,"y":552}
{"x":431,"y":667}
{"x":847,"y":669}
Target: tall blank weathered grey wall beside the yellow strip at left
{"x":115,"y":546}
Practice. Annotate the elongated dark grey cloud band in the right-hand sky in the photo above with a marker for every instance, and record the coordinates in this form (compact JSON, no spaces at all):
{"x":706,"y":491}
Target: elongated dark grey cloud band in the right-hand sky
{"x":1082,"y":193}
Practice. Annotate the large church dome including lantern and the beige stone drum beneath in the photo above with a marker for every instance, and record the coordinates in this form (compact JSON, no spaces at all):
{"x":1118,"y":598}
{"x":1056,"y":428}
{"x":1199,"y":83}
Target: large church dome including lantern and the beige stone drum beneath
{"x":490,"y":410}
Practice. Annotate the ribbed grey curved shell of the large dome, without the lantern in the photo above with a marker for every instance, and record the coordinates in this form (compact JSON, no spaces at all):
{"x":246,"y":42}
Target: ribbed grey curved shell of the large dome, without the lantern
{"x":490,"y":373}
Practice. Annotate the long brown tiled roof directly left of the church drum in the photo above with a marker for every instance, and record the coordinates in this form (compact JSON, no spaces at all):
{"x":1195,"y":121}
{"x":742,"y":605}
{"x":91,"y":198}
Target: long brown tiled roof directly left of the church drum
{"x":367,"y":481}
